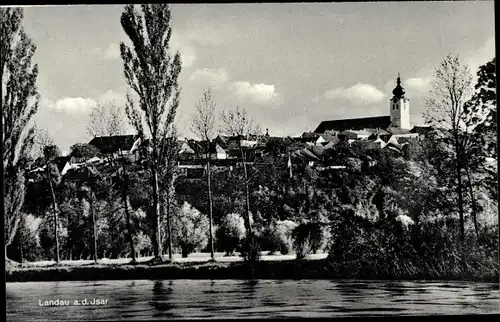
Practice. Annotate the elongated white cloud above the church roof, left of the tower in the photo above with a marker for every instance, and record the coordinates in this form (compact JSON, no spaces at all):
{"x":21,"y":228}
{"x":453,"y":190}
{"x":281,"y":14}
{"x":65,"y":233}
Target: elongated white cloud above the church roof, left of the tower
{"x":364,"y":94}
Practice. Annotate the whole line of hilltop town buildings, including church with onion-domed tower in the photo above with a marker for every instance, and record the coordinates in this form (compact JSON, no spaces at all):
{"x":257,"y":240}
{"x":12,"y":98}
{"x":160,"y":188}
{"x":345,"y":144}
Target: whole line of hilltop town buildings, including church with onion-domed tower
{"x":313,"y":149}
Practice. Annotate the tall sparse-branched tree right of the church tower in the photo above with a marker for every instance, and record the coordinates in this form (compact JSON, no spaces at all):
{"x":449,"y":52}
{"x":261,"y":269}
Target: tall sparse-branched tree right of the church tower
{"x":451,"y":88}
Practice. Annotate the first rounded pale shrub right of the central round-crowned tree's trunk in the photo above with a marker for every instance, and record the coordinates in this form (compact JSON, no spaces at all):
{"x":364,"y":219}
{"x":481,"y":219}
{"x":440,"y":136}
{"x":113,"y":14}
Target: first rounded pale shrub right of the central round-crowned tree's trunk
{"x":278,"y":236}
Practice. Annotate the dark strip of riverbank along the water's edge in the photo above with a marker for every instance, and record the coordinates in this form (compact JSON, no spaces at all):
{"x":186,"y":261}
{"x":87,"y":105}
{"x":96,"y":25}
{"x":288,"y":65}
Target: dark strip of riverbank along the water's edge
{"x":264,"y":269}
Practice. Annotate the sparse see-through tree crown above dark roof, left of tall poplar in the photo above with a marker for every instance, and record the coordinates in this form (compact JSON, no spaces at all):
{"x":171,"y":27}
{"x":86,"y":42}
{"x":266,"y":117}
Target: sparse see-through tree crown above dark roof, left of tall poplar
{"x":105,"y":120}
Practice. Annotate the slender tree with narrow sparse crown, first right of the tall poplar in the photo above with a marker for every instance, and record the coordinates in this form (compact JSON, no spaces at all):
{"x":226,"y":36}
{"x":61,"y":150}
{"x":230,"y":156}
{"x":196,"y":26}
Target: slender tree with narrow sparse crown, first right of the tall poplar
{"x":203,"y":126}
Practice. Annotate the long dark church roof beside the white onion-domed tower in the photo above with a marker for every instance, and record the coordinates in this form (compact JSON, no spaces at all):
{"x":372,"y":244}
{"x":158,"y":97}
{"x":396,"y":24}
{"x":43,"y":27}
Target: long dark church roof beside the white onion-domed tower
{"x":382,"y":122}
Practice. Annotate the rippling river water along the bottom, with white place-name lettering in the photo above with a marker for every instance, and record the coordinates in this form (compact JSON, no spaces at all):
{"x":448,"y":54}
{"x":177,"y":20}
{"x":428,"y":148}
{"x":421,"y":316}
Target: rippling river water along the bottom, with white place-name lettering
{"x":146,"y":299}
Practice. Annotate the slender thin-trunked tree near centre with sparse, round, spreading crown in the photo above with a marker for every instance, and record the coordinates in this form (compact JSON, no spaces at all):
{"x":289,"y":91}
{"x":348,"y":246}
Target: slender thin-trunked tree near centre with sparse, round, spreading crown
{"x":238,"y":123}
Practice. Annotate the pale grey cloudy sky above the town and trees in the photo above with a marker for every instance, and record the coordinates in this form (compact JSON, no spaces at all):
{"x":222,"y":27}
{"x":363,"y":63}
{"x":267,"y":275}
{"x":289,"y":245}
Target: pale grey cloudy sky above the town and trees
{"x":290,"y":65}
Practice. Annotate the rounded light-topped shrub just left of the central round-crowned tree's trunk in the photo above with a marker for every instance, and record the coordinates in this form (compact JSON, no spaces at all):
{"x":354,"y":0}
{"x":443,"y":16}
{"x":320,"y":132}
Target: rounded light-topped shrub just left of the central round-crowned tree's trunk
{"x":230,"y":233}
